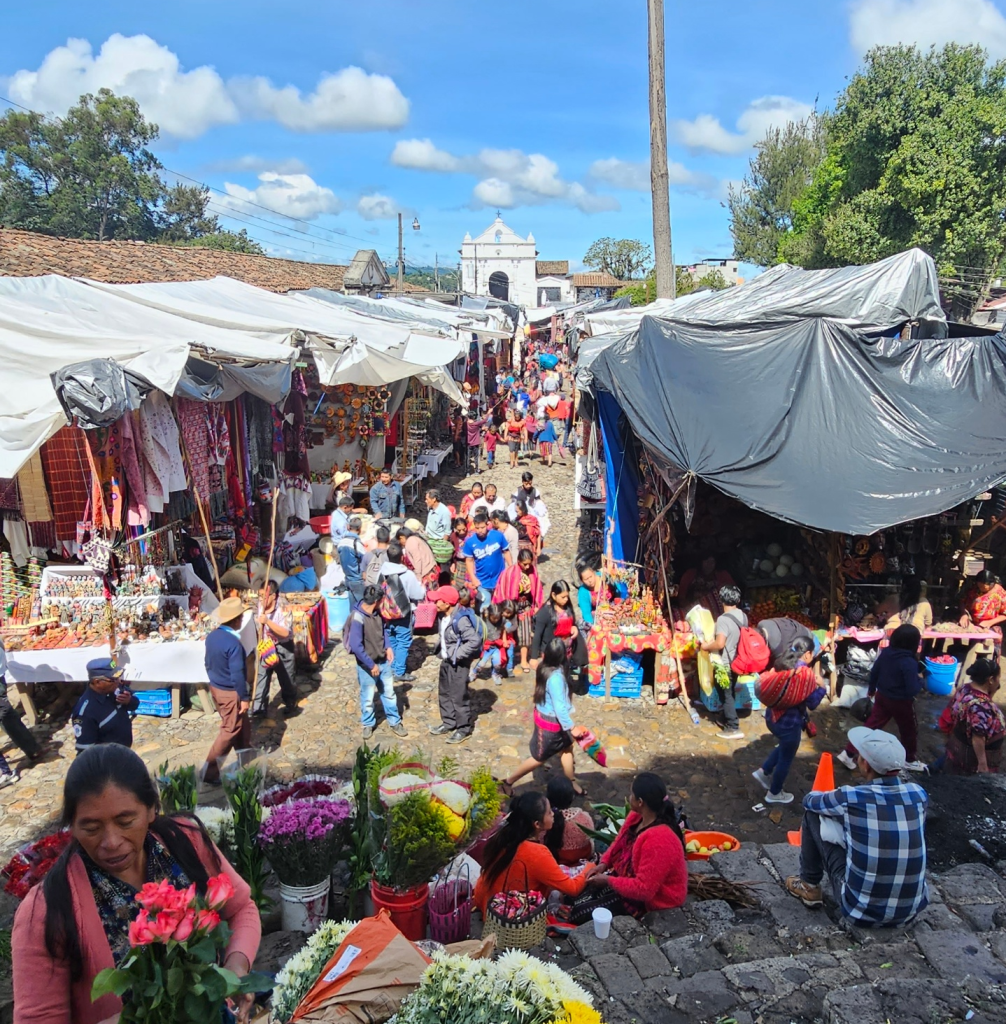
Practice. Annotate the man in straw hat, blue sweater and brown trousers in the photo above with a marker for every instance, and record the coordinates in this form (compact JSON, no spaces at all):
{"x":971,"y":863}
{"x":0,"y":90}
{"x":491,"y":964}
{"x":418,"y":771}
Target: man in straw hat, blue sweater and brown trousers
{"x":226,"y":666}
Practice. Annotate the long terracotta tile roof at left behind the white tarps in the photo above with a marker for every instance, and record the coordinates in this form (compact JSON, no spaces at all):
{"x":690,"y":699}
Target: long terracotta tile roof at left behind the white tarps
{"x":27,"y":254}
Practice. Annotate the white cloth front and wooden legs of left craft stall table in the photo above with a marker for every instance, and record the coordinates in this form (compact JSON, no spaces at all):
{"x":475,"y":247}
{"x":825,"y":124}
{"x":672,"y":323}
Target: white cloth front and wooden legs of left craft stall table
{"x":147,"y":666}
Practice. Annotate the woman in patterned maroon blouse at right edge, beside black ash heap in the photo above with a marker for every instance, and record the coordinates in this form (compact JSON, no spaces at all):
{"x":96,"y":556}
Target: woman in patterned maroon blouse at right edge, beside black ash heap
{"x":978,"y":726}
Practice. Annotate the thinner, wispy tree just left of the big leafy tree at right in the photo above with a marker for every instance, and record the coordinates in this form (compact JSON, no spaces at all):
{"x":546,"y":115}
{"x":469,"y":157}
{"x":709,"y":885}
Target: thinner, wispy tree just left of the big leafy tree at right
{"x":762,"y":207}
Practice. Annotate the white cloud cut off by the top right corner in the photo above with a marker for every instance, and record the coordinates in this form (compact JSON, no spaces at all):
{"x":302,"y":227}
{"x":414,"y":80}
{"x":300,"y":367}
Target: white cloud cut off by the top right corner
{"x":928,"y":23}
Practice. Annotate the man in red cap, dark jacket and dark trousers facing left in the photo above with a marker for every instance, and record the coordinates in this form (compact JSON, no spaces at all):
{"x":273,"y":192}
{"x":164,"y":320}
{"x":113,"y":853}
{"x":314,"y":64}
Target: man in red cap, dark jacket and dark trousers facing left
{"x":462,"y":645}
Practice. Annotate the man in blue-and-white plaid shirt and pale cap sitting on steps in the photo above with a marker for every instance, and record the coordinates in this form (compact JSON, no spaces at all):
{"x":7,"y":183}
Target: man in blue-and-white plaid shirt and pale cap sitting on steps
{"x":870,"y":839}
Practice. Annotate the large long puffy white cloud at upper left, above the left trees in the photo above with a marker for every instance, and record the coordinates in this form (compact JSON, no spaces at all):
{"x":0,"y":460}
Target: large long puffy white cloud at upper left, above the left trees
{"x":187,"y":104}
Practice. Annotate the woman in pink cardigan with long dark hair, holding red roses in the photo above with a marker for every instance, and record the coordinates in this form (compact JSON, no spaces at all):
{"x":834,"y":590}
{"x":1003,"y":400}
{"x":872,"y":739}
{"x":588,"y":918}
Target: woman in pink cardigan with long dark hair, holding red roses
{"x":76,"y":923}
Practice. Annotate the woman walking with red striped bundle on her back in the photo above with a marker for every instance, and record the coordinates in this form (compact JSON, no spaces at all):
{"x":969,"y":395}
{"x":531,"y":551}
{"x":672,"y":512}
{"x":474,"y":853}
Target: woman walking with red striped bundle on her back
{"x":789,"y":691}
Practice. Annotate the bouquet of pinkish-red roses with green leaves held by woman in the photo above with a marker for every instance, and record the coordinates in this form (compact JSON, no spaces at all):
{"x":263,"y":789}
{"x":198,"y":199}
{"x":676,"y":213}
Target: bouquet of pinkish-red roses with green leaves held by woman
{"x":172,"y":975}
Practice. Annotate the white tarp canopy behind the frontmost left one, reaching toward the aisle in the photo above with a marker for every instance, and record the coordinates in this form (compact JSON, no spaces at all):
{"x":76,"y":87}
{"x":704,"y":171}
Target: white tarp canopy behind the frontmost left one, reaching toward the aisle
{"x":348,"y":348}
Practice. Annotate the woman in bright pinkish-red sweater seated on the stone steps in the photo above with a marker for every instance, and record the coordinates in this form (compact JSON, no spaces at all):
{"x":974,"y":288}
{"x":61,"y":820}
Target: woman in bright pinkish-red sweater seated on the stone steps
{"x":645,"y":869}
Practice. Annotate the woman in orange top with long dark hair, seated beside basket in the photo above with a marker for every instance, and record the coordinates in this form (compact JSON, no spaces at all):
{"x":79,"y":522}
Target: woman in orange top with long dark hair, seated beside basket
{"x":517,"y":859}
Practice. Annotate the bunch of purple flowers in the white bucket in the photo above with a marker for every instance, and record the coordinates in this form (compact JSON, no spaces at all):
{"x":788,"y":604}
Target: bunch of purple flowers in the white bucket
{"x":304,"y":839}
